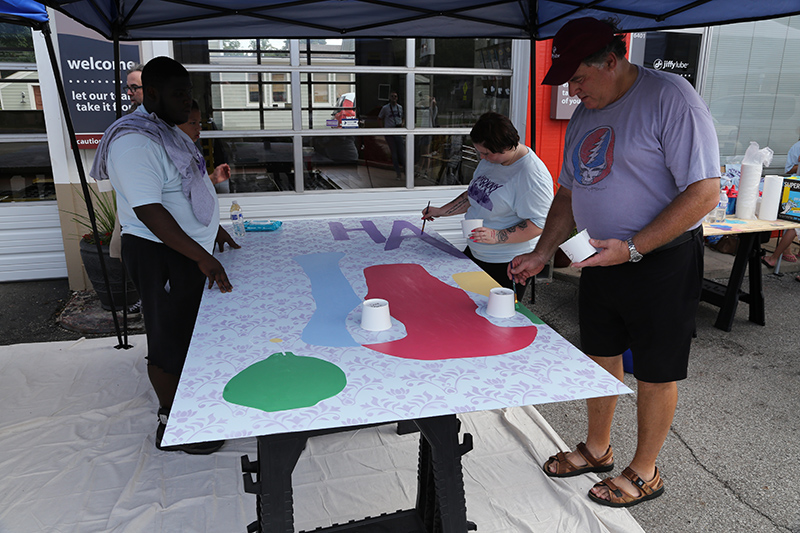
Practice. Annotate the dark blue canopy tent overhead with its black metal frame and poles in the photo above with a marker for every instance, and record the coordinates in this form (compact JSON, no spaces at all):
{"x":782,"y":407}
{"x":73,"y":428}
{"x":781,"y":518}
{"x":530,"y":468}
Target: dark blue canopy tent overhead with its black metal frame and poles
{"x":120,"y":20}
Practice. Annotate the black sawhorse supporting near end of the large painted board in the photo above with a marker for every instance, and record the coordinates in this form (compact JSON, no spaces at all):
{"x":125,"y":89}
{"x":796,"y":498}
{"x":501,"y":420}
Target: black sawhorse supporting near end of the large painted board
{"x":441,"y":504}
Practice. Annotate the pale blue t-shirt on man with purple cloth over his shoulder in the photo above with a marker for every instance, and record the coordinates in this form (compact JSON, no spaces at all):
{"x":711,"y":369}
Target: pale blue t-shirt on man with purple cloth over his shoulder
{"x":142,"y":174}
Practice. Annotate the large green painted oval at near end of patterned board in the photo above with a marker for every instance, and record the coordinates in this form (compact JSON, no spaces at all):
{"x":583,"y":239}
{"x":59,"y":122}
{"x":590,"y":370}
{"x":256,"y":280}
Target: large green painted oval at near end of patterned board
{"x":285,"y":381}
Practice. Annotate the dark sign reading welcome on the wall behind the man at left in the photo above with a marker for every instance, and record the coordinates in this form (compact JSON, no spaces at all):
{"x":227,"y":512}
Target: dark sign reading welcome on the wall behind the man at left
{"x":87,"y":65}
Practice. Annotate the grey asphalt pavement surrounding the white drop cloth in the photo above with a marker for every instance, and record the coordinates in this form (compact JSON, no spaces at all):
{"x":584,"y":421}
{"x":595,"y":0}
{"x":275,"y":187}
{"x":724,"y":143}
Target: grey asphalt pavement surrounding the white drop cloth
{"x":730,"y":462}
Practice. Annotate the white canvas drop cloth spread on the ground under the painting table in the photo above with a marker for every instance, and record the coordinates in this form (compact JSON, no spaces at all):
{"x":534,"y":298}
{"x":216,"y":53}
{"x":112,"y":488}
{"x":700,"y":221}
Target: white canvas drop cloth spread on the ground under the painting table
{"x":77,"y":455}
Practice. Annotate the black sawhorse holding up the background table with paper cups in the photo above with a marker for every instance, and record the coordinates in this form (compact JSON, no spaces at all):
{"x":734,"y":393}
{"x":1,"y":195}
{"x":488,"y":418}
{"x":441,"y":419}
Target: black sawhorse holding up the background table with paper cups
{"x":727,"y":297}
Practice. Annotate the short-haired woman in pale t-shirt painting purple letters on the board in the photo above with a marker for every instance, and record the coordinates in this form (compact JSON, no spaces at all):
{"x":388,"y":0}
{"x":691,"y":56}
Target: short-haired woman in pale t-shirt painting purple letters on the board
{"x":511,"y":191}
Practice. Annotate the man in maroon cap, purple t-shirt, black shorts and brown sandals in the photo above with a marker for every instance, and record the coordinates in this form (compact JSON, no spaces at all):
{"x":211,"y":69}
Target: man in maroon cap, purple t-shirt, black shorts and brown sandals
{"x":640,"y":171}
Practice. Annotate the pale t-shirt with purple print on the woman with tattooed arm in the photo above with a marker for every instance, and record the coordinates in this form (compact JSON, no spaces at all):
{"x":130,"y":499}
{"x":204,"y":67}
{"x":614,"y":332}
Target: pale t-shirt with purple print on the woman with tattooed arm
{"x":504,"y":196}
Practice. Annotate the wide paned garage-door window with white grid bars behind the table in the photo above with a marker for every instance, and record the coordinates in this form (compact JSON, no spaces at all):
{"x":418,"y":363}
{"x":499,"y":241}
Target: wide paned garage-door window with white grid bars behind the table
{"x":342,"y":86}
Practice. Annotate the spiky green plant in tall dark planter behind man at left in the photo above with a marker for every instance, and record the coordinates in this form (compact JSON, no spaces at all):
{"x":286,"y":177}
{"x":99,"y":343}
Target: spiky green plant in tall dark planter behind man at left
{"x":105,"y":210}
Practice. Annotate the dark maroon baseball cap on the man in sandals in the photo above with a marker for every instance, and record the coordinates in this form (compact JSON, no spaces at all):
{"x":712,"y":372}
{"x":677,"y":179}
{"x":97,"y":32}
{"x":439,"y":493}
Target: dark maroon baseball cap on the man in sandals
{"x":574,"y":42}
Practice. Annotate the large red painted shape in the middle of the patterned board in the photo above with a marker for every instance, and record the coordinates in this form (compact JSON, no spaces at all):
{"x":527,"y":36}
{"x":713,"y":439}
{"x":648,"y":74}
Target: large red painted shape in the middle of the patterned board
{"x":440,"y":320}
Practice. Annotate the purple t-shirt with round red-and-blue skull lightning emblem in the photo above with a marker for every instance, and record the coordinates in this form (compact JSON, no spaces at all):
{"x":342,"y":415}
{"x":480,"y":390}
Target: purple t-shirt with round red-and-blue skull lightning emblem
{"x":626,"y":162}
